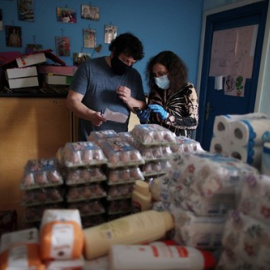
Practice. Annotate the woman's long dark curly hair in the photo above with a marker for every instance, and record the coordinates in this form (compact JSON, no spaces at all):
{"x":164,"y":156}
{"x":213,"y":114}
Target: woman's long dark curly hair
{"x":177,"y":70}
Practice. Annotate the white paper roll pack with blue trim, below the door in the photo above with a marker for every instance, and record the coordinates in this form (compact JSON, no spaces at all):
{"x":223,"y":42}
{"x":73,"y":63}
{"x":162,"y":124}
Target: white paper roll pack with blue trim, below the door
{"x":241,"y":136}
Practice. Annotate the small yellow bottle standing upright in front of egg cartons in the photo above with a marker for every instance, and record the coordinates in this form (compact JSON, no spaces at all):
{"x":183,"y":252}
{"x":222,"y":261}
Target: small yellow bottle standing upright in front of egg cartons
{"x":141,"y":197}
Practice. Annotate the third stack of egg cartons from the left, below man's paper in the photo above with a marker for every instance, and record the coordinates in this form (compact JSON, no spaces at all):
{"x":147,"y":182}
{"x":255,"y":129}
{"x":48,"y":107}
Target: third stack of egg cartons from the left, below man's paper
{"x":122,"y":170}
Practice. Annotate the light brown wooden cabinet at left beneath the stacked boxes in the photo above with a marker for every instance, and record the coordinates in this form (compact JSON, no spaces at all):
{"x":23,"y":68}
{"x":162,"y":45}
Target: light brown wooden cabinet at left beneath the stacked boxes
{"x":30,"y":128}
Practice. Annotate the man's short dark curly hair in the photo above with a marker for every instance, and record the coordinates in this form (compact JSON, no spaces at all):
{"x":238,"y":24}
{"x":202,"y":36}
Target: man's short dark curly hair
{"x":128,"y":44}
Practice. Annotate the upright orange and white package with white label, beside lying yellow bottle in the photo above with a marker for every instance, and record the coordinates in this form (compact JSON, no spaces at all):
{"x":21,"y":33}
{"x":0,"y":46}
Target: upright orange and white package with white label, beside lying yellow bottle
{"x":61,"y":235}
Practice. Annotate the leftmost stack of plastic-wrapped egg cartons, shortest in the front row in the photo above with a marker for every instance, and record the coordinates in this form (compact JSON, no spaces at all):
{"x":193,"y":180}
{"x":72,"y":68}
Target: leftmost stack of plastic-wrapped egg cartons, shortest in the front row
{"x":42,"y":184}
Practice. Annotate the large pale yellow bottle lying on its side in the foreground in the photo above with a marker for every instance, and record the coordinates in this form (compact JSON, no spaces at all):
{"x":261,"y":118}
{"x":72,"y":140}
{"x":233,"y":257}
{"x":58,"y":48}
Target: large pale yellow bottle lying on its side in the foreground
{"x":139,"y":228}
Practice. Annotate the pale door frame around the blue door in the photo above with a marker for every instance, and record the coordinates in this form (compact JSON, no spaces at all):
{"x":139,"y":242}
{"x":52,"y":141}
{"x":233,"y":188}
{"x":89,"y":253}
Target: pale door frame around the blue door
{"x":263,"y":64}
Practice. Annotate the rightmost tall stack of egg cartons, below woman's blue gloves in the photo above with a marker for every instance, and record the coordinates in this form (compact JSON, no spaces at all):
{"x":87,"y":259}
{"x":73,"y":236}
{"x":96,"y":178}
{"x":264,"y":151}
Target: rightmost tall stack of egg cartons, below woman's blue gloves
{"x":154,"y":143}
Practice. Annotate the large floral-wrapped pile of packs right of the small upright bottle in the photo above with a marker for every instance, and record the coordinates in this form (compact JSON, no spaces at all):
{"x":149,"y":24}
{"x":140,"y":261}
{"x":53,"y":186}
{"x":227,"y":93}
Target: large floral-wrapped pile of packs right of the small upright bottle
{"x":199,"y":189}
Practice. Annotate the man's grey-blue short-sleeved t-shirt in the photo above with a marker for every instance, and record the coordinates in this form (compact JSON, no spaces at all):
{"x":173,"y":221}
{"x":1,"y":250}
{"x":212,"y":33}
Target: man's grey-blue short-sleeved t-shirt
{"x":98,"y":83}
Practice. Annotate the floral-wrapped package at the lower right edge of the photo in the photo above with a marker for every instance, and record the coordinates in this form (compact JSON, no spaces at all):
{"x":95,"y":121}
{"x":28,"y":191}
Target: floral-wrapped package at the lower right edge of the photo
{"x":246,"y":238}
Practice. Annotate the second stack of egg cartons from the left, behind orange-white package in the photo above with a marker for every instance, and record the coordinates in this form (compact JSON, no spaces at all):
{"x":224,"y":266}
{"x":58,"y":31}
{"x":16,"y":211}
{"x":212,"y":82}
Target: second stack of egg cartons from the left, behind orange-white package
{"x":81,"y":162}
